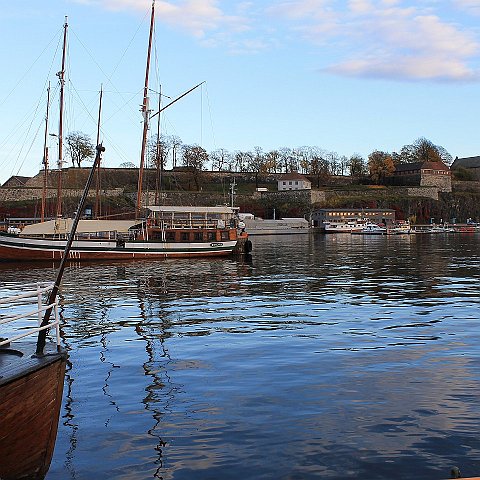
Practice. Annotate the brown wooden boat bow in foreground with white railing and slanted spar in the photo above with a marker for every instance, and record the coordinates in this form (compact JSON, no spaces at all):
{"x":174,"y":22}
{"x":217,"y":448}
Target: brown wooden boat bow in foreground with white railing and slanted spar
{"x":32,"y":374}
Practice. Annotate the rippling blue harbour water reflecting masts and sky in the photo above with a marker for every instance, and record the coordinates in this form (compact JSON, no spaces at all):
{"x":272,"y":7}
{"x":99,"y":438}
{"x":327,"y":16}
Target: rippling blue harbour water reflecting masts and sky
{"x":319,"y":357}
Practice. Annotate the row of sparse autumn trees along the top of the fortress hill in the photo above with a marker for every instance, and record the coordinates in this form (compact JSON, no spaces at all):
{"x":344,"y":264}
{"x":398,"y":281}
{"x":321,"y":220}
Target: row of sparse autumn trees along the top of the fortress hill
{"x":312,"y":161}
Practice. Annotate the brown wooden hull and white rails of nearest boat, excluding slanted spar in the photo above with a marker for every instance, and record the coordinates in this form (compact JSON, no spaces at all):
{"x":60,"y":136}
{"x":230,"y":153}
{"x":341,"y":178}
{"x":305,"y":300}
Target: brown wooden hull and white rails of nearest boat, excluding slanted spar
{"x":31,"y":388}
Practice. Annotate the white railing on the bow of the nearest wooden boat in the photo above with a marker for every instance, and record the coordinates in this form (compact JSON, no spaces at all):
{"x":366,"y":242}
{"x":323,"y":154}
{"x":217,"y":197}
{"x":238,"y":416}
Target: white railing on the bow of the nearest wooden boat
{"x":28,"y":306}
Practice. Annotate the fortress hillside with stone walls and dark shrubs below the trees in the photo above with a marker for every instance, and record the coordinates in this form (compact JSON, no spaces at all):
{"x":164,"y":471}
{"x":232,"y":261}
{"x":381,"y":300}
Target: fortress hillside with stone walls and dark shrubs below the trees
{"x":182,"y":187}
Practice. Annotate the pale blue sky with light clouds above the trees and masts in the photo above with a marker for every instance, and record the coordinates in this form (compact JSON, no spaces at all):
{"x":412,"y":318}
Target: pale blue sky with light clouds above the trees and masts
{"x":350,"y":76}
